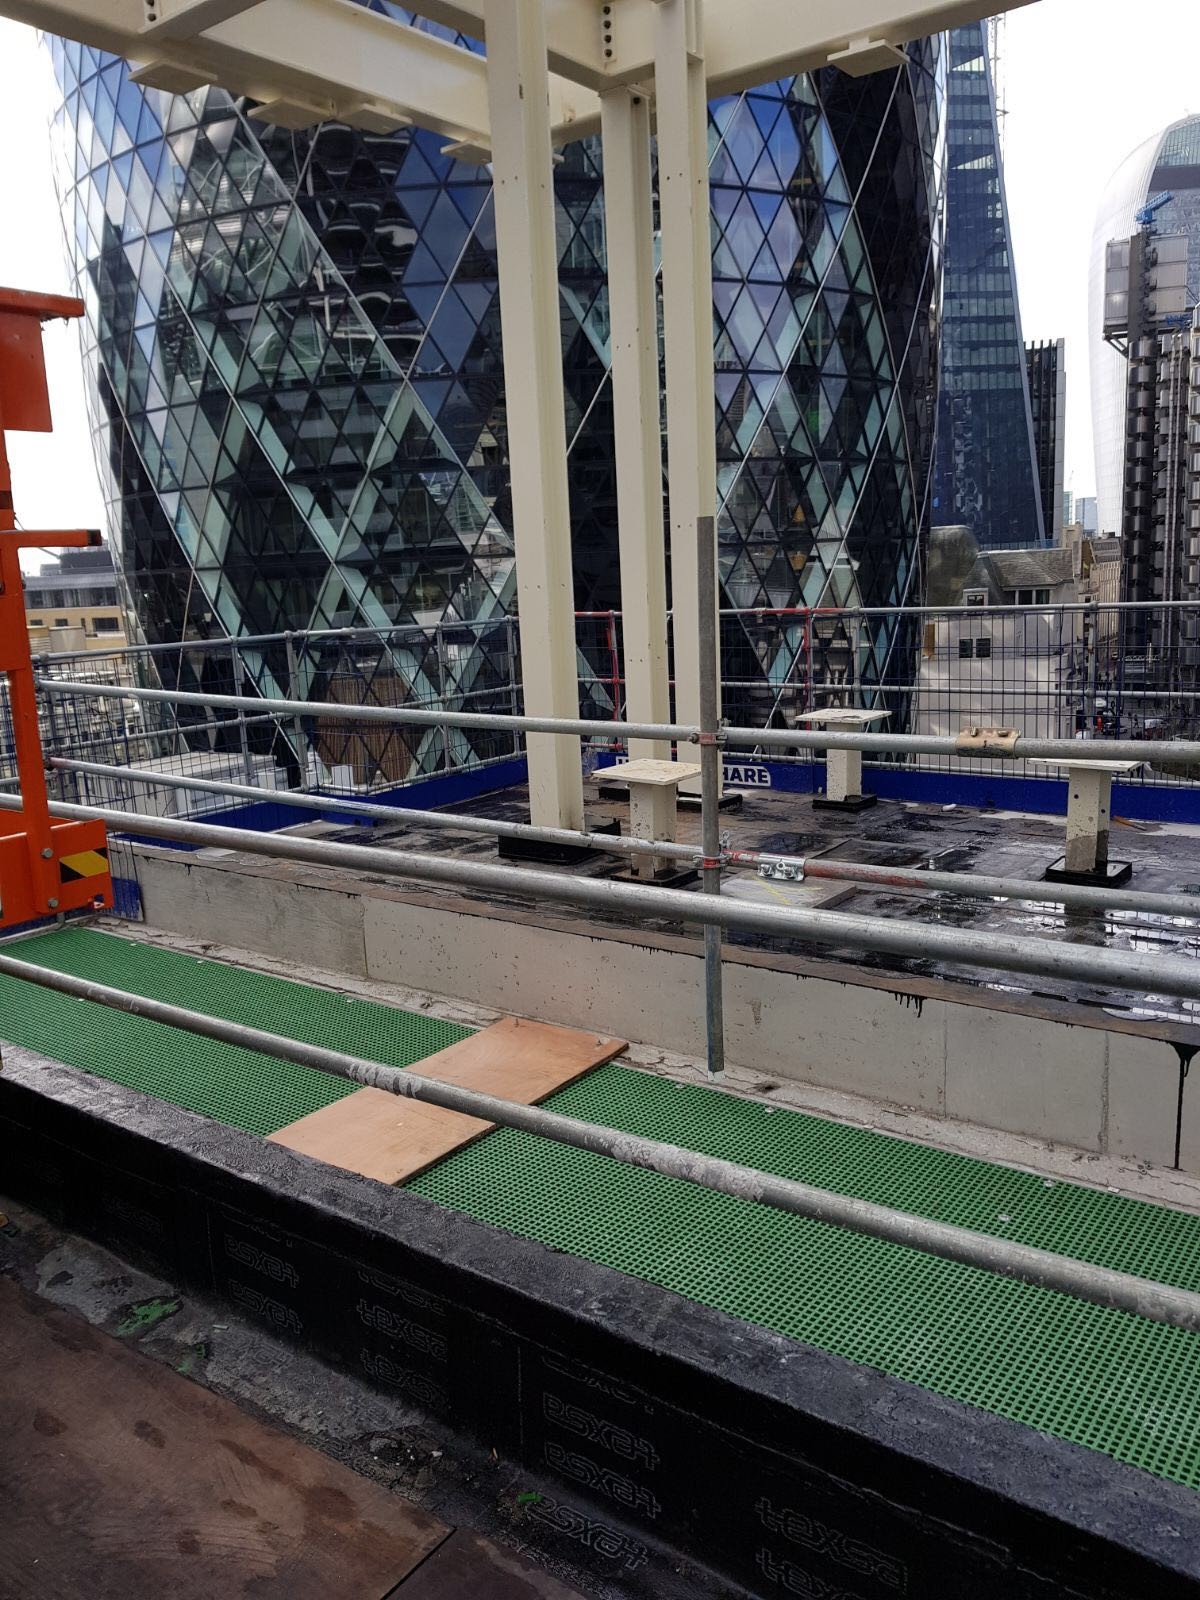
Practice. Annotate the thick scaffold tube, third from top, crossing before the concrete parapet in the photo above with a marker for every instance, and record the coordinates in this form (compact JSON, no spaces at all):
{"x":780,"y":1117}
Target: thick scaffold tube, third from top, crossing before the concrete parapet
{"x":1148,"y":975}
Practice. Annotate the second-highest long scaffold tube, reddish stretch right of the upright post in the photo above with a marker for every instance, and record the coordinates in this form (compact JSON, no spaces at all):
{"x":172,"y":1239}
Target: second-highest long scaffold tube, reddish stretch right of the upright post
{"x":914,"y":879}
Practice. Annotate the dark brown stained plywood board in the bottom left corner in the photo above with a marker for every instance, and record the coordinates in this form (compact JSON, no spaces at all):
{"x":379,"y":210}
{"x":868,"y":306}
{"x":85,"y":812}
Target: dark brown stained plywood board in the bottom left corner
{"x":124,"y":1481}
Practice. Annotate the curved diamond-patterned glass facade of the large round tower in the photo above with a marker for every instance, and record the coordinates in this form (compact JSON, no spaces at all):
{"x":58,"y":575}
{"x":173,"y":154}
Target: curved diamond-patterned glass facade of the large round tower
{"x":295,"y":364}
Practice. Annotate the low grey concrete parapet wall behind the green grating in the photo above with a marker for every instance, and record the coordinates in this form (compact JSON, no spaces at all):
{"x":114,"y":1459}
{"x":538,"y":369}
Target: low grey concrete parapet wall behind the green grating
{"x":1041,"y":1068}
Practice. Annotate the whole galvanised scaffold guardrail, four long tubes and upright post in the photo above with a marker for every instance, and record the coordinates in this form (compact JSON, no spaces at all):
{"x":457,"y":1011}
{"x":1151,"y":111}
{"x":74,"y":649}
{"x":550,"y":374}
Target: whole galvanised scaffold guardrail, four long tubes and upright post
{"x":708,"y":908}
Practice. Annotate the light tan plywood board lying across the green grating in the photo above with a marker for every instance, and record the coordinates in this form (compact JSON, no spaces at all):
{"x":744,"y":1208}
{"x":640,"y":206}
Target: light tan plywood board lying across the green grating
{"x":393,"y":1140}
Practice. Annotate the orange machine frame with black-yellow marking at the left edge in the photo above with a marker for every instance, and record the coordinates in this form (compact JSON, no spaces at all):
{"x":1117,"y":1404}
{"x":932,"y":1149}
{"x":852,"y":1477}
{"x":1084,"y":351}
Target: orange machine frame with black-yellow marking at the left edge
{"x":46,"y":866}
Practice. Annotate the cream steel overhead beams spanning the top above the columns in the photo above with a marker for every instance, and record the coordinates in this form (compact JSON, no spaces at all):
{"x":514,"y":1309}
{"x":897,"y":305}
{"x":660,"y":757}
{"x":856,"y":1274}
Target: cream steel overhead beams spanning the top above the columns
{"x":334,"y":58}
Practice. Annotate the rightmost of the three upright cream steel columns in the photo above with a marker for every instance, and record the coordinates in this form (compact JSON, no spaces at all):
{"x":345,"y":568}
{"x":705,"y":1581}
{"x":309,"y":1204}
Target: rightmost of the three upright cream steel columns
{"x":687,"y":324}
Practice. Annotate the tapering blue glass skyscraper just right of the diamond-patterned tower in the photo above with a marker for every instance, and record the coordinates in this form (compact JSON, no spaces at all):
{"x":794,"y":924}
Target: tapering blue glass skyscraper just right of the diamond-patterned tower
{"x":986,"y":476}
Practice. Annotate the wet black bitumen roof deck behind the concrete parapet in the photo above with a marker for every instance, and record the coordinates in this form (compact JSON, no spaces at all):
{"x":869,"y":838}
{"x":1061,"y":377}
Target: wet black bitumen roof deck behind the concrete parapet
{"x":894,"y":834}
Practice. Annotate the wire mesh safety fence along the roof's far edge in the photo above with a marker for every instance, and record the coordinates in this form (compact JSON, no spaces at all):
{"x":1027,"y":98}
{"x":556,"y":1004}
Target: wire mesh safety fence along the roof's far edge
{"x":1052,"y":671}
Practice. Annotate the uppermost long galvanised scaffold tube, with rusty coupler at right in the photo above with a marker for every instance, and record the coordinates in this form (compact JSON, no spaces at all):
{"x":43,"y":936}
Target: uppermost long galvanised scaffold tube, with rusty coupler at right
{"x":1066,"y":751}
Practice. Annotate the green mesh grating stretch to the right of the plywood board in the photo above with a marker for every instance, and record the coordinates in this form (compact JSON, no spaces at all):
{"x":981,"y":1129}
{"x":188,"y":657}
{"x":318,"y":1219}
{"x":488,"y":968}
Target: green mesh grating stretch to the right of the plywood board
{"x":1102,"y":1378}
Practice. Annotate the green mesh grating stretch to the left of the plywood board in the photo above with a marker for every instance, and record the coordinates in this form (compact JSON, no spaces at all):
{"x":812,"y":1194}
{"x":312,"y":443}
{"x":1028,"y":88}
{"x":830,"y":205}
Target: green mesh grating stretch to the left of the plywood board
{"x":238,"y":1087}
